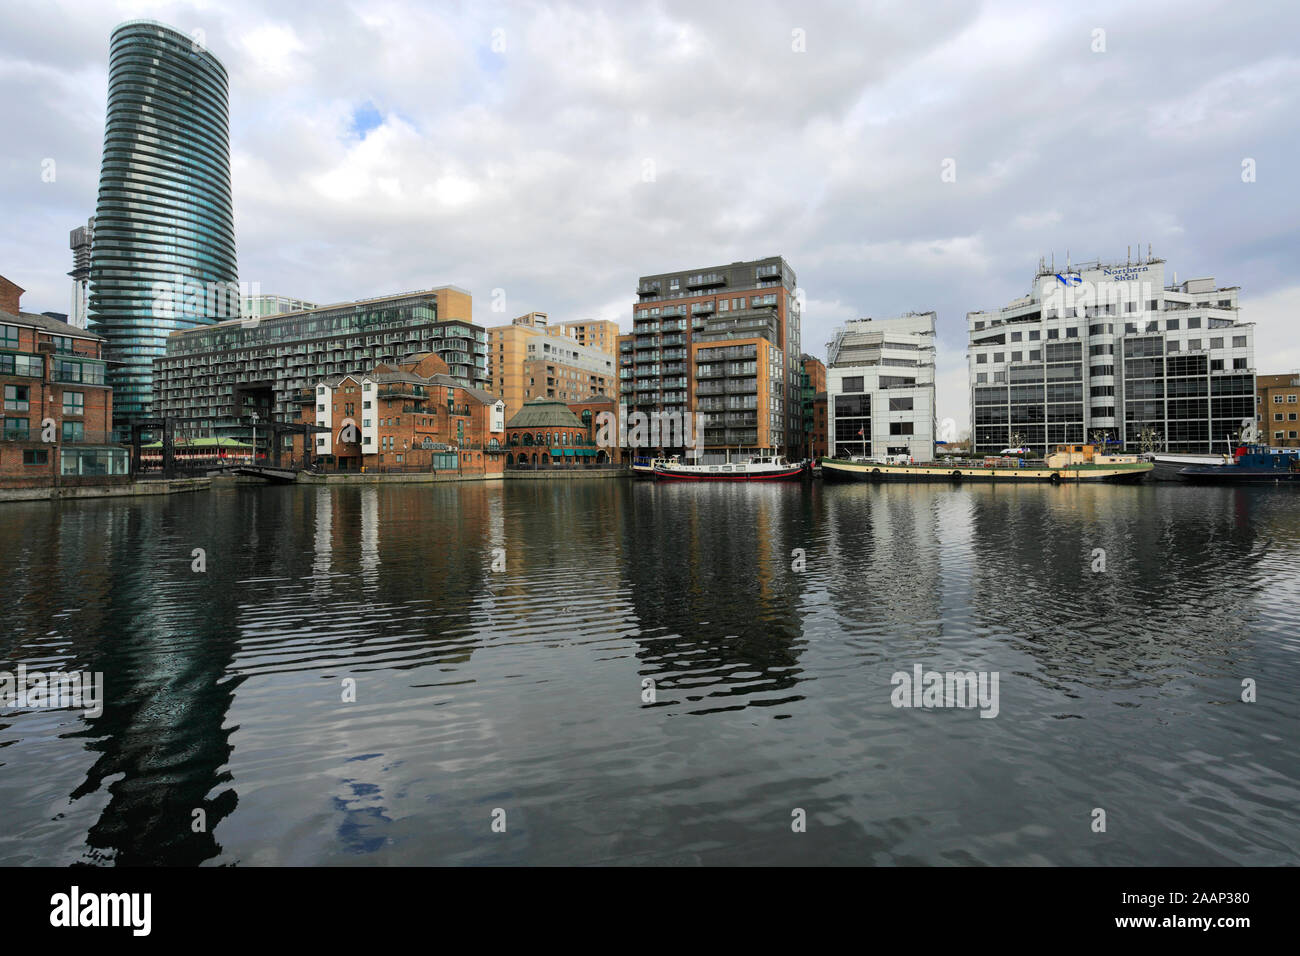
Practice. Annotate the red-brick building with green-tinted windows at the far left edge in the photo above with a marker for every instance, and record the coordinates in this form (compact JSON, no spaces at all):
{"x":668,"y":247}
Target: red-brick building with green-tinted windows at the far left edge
{"x":58,"y":408}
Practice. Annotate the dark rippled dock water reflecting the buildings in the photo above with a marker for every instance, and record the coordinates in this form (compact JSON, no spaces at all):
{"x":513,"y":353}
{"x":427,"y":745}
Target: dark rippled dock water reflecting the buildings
{"x":523,"y":690}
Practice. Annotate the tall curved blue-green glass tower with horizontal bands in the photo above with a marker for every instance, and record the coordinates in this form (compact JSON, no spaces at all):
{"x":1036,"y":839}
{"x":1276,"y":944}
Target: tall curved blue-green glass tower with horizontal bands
{"x":164,"y":250}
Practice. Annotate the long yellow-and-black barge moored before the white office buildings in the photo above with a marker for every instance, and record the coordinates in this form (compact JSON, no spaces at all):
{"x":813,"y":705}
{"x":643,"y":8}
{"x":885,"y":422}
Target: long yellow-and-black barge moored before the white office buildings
{"x":1068,"y":464}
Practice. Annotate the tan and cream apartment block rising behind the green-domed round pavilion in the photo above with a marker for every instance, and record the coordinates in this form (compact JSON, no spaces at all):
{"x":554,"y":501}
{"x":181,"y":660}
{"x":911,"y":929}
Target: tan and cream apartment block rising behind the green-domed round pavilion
{"x":530,"y":360}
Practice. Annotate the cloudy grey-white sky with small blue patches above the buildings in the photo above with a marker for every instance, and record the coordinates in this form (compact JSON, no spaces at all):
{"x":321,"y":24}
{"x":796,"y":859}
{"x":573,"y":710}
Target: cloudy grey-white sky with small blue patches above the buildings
{"x":557,"y":152}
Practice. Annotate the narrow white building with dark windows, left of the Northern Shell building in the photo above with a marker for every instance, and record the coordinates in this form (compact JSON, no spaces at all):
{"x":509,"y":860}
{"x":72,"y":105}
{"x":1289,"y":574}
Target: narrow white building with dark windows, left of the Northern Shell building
{"x":881,"y":388}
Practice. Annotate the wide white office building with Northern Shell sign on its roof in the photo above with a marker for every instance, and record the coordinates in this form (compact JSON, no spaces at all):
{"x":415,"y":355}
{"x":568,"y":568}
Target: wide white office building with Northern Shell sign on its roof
{"x":1103,"y":352}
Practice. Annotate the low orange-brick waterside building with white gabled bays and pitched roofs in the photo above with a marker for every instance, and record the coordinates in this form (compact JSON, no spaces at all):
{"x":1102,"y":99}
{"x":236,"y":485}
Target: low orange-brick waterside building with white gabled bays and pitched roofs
{"x":410,"y":417}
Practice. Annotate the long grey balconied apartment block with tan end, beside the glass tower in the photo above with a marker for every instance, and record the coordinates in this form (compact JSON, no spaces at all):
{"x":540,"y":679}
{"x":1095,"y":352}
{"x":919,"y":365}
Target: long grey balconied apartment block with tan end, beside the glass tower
{"x":214,"y":379}
